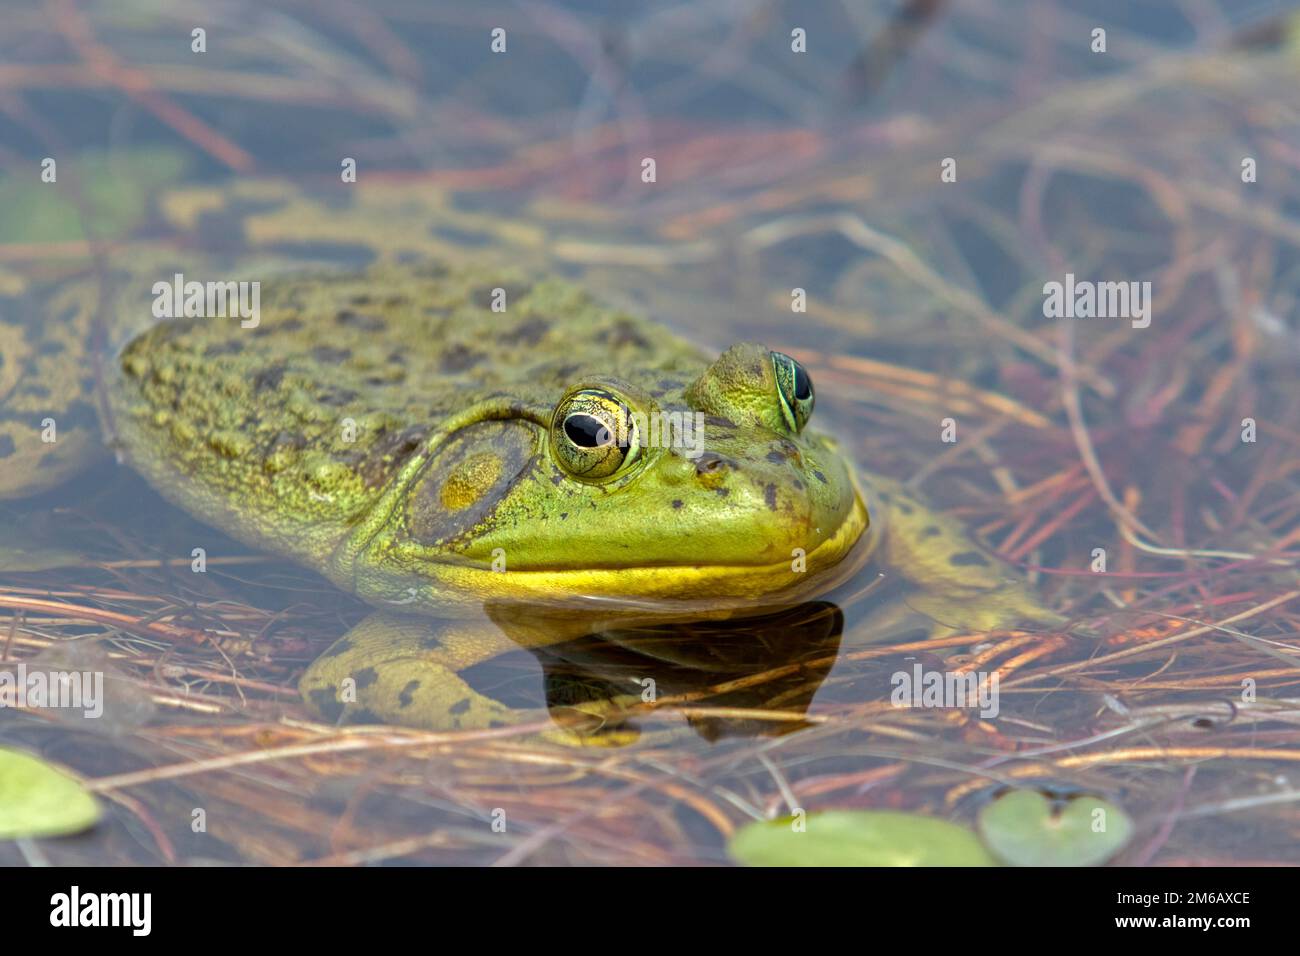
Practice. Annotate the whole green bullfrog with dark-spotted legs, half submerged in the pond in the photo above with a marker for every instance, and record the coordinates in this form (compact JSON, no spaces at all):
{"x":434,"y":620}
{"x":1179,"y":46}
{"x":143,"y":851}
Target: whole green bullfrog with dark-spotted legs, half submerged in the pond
{"x":488,"y":457}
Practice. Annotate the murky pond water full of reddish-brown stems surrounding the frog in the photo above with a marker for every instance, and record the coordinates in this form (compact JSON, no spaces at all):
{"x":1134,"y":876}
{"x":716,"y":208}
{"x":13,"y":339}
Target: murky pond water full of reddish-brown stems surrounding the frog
{"x":1045,"y":278}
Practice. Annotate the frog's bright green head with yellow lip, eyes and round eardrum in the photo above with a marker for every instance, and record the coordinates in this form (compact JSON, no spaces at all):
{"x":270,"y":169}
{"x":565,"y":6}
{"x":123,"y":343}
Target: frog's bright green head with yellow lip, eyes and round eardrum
{"x":707,"y":487}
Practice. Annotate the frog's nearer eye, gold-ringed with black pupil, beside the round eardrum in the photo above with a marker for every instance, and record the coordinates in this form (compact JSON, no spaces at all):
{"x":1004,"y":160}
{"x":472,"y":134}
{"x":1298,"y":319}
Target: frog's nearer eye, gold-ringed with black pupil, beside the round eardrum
{"x":595,"y":435}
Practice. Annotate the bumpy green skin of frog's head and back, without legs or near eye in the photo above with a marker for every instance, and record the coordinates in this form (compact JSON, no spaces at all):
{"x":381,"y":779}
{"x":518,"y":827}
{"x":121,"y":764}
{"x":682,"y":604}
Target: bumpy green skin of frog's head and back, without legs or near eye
{"x":395,"y":432}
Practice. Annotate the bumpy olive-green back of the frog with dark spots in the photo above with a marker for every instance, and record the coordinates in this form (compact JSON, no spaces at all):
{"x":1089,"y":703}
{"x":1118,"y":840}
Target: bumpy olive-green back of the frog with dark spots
{"x":291,"y":431}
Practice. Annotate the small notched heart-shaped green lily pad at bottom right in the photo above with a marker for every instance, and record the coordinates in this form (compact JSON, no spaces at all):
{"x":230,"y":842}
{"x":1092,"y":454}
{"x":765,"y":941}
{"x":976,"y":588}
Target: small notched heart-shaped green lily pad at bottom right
{"x":1025,"y":828}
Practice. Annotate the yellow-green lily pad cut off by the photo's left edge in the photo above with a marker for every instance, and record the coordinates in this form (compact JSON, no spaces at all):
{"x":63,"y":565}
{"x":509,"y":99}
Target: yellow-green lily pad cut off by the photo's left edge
{"x":40,"y":801}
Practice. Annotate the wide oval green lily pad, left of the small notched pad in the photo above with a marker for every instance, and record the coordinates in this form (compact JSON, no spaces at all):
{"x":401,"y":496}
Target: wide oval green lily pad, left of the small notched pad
{"x":859,"y":838}
